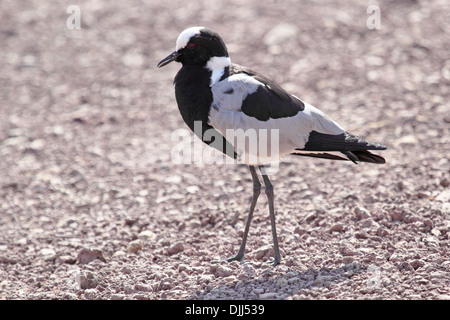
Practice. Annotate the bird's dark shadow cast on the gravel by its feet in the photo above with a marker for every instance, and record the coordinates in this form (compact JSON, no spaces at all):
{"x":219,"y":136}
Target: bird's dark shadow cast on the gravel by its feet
{"x":272,"y":285}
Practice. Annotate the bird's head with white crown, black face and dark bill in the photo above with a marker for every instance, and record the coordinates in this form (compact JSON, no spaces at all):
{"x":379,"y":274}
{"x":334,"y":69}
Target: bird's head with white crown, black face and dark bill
{"x":196,"y":46}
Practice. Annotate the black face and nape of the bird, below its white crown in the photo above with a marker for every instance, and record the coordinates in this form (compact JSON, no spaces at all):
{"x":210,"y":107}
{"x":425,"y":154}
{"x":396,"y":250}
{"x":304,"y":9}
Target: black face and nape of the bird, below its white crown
{"x":201,"y":48}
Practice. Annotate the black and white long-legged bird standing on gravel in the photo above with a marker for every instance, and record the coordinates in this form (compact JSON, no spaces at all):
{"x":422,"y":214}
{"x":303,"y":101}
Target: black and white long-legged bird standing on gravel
{"x":220,"y":95}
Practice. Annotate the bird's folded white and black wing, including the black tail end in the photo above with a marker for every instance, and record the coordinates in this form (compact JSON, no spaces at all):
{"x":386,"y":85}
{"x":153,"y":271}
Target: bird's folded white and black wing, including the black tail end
{"x":246,"y":100}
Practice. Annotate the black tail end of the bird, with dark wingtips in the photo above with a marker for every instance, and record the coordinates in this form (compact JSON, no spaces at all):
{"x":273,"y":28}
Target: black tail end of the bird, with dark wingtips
{"x":354,"y":147}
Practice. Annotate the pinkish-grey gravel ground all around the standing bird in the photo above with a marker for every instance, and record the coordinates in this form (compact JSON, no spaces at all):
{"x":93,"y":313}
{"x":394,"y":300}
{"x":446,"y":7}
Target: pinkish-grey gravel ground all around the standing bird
{"x":92,"y":207}
